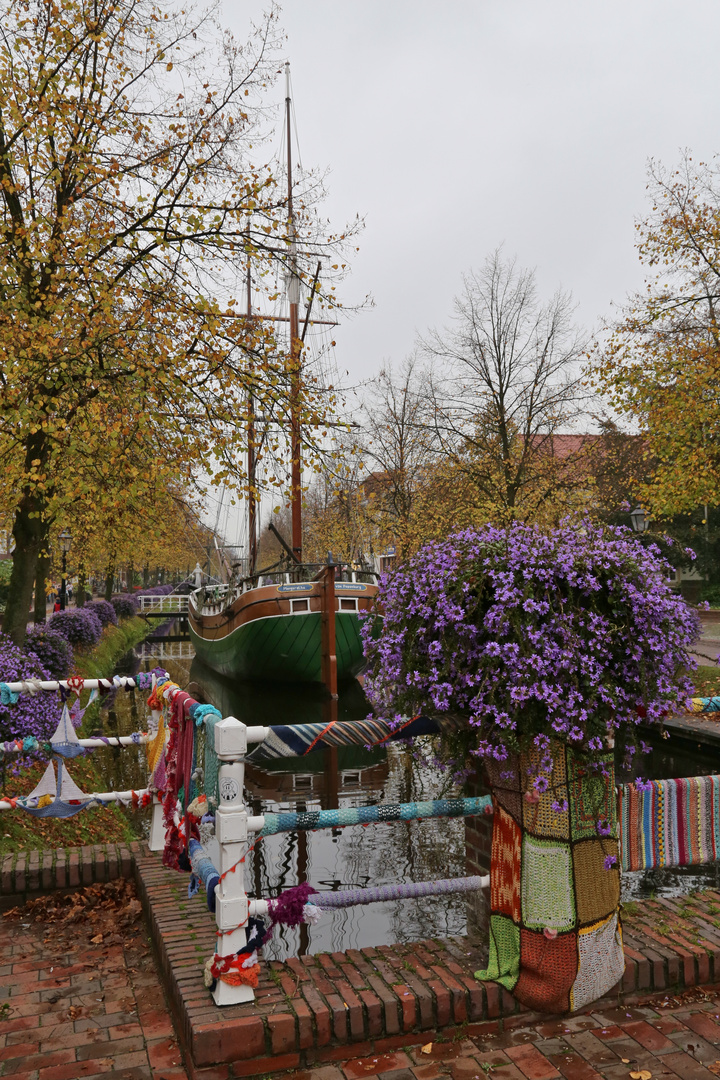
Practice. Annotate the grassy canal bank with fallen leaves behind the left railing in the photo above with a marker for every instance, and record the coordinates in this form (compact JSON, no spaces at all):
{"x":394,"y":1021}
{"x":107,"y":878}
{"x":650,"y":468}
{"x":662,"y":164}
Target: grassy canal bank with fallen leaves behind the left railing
{"x":22,"y":832}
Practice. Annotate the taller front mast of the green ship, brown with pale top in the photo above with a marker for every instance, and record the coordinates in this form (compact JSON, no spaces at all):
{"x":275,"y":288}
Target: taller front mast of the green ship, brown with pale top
{"x":296,"y":346}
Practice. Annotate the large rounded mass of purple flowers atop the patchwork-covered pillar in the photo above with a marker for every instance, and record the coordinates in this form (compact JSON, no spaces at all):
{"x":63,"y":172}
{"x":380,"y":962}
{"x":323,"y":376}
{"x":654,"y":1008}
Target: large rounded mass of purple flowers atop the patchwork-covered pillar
{"x":565,"y":634}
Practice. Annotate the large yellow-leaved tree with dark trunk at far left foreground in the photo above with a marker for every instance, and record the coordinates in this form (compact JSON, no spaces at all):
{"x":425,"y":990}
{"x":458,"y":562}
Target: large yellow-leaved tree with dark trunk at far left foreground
{"x":130,"y":200}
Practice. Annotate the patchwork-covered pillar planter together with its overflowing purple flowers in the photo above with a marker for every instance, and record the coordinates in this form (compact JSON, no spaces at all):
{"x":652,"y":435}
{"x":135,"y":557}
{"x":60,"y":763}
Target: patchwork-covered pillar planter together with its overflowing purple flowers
{"x":544,"y":644}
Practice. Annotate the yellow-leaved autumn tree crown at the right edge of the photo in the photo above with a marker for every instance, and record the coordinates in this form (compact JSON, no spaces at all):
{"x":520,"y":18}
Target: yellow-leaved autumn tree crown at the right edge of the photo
{"x":661,"y":368}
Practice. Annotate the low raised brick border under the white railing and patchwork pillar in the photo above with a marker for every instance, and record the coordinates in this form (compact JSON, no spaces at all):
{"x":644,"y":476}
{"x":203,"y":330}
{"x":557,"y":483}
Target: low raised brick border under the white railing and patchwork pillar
{"x":376,"y":1001}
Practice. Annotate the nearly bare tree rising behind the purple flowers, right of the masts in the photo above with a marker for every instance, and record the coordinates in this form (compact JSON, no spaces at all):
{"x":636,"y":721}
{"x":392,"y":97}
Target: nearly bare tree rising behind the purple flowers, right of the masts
{"x":507,"y":383}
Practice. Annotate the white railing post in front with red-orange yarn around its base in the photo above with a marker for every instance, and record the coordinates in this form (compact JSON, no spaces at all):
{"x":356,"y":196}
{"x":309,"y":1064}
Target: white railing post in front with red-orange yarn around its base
{"x":232,"y":907}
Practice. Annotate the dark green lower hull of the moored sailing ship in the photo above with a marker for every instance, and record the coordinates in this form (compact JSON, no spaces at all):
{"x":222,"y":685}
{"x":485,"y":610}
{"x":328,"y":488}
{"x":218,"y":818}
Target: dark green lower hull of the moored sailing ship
{"x":286,"y":649}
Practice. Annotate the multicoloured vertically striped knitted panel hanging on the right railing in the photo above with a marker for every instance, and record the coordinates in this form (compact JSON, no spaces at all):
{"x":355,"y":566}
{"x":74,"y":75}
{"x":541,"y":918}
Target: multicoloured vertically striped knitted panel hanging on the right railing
{"x":670,"y":823}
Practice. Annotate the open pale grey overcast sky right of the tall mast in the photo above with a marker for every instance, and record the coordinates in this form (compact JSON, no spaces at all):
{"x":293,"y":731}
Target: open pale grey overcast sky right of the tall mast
{"x":456,"y":127}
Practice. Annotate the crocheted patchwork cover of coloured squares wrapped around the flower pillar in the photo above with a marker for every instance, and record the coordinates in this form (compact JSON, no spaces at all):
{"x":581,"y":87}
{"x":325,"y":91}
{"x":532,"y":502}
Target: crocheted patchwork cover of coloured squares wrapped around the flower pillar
{"x":555,"y":937}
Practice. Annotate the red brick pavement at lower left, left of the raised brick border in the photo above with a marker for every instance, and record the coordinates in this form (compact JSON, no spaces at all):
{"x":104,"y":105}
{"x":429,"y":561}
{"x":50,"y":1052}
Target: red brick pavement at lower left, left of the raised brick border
{"x":75,"y":1008}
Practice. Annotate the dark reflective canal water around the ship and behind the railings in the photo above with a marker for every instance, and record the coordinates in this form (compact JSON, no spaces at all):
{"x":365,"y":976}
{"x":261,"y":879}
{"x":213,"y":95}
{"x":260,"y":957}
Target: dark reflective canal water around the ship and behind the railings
{"x":357,"y":857}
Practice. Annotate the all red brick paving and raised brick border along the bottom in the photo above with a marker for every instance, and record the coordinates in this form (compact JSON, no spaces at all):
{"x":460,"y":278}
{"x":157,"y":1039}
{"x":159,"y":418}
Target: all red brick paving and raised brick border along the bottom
{"x":72,"y":1007}
